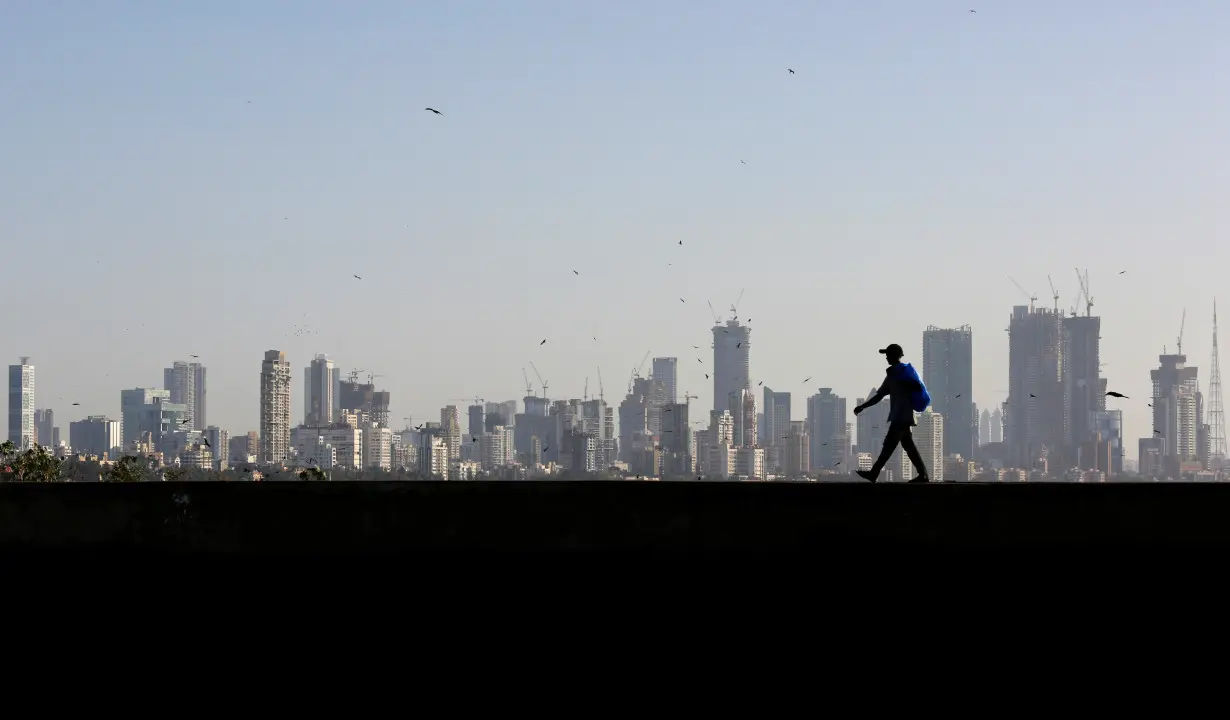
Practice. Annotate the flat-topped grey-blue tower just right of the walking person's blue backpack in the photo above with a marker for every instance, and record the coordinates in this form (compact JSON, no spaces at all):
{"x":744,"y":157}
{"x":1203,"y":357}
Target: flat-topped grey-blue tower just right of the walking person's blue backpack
{"x":949,"y":375}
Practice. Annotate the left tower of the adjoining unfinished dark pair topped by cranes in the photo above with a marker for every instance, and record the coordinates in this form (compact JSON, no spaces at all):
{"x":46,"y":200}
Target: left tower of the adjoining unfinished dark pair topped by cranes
{"x":1035,"y":415}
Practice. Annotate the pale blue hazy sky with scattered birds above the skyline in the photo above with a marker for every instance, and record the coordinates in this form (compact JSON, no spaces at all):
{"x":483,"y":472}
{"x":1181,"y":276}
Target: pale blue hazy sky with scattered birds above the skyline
{"x":202,"y":178}
